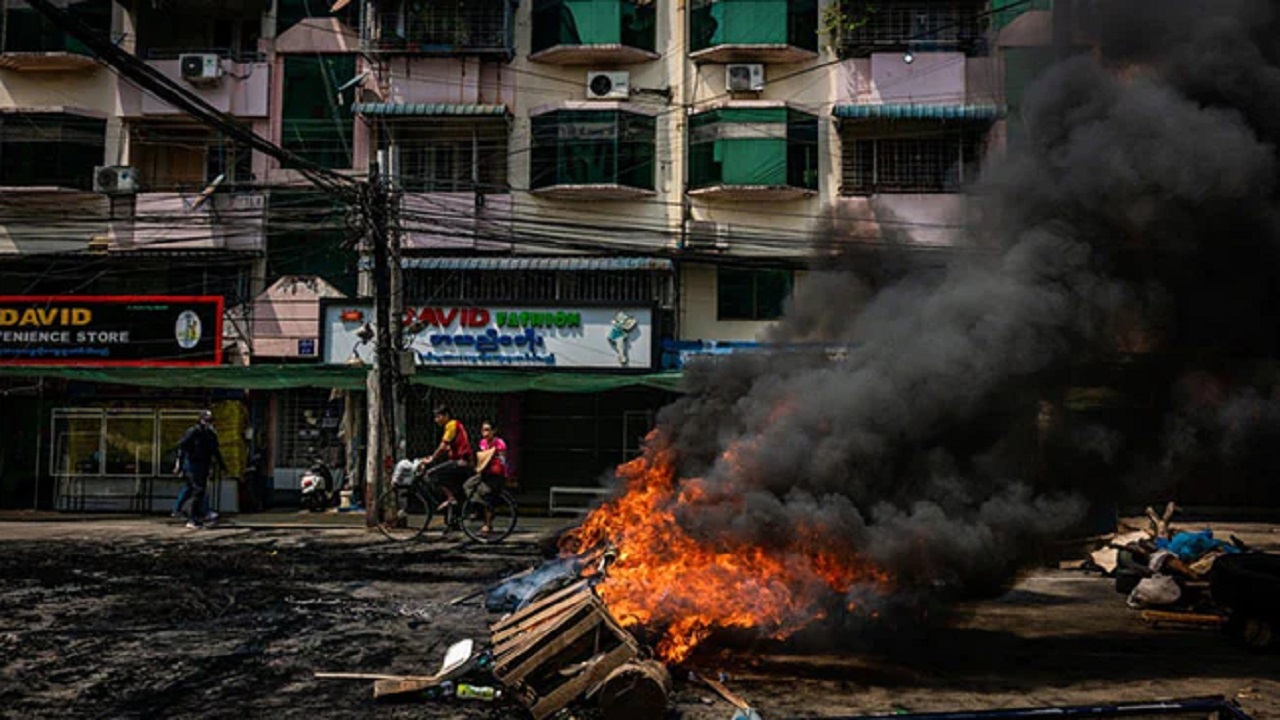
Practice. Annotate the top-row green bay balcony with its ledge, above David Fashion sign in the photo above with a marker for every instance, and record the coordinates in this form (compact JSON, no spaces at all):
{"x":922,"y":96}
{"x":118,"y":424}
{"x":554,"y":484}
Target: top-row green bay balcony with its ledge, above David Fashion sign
{"x":579,"y":33}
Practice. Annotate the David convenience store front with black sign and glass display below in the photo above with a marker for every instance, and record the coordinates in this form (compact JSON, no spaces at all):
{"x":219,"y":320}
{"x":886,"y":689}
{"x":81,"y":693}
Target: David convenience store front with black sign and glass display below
{"x":100,"y":446}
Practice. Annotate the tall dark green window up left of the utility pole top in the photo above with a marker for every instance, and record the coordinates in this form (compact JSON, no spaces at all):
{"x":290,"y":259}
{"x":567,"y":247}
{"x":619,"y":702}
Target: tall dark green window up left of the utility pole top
{"x":316,"y":121}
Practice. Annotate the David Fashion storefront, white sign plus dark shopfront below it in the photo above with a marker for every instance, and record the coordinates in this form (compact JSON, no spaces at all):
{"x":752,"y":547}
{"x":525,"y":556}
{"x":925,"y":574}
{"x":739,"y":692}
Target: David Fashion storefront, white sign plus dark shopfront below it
{"x":573,"y":389}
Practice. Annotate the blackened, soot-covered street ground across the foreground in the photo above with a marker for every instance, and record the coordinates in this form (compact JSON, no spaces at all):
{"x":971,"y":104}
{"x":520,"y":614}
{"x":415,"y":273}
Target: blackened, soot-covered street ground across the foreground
{"x":147,"y":619}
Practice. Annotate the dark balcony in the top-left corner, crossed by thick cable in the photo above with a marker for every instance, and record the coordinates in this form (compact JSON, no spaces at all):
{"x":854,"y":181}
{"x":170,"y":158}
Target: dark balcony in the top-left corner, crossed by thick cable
{"x":31,"y":44}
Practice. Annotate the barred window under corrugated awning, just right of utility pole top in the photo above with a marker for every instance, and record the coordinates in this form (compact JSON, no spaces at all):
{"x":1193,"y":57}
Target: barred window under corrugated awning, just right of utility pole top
{"x":452,"y":156}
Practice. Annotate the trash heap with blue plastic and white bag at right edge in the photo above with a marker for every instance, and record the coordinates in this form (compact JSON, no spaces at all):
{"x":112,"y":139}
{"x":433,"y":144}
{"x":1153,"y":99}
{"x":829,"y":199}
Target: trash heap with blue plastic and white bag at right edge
{"x":1192,"y":578}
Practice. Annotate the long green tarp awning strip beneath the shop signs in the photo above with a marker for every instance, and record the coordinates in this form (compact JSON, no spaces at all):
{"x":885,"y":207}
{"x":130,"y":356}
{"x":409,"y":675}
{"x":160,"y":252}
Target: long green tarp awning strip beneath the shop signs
{"x":282,"y":377}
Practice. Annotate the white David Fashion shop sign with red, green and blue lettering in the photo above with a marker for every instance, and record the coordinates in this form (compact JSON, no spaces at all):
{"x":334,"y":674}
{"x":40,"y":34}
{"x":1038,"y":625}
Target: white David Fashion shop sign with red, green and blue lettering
{"x":493,"y":336}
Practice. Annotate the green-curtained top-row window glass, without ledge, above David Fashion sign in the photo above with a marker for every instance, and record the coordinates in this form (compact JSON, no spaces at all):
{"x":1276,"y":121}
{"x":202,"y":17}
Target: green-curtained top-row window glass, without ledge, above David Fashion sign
{"x":595,"y":22}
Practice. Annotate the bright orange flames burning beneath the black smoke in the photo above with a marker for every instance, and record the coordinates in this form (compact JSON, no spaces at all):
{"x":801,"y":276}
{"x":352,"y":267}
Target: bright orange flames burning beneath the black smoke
{"x":669,"y":581}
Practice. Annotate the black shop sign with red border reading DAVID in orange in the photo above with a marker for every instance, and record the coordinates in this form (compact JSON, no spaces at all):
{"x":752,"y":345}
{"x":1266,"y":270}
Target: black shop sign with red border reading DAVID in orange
{"x":102,"y":331}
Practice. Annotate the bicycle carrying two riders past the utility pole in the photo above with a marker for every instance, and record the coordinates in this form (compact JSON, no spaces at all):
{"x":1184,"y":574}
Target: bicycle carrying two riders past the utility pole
{"x":409,"y":512}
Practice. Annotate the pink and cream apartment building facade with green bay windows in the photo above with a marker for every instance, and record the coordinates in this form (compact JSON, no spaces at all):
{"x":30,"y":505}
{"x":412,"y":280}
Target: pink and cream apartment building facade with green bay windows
{"x":682,"y":165}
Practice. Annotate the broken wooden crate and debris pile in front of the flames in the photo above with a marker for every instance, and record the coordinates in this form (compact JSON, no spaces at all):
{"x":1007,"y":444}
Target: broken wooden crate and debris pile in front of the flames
{"x":556,"y":651}
